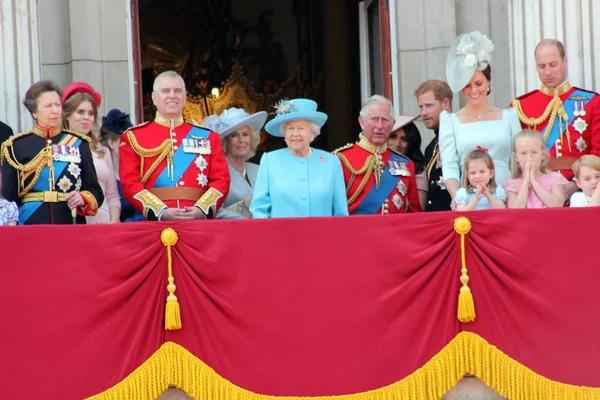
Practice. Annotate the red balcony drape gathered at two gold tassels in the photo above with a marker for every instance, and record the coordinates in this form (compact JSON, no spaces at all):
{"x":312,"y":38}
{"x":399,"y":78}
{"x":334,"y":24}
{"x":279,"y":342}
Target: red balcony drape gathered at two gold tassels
{"x":298,"y":307}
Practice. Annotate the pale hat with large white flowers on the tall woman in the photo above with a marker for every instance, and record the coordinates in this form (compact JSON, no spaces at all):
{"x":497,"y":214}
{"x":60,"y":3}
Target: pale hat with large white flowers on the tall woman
{"x":470,"y":53}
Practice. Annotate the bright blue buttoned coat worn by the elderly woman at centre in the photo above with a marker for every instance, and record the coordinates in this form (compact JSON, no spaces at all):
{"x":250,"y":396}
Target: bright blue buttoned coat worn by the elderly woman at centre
{"x":290,"y":186}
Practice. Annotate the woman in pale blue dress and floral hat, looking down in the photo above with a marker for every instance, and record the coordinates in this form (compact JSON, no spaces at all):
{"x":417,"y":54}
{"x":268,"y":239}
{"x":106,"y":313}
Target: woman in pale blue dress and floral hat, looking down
{"x":478,"y":123}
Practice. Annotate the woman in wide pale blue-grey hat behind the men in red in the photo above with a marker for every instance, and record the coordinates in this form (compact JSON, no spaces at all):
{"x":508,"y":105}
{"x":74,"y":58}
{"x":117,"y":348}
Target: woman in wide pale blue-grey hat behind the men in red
{"x":240,"y":135}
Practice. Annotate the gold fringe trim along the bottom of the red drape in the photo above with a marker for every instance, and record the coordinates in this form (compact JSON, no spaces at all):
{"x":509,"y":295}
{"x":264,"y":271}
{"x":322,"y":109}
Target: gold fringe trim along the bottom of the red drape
{"x":467,"y":353}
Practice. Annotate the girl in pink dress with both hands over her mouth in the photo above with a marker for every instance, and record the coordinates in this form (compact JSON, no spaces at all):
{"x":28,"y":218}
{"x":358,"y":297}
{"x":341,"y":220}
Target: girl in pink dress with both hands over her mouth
{"x":533,"y":186}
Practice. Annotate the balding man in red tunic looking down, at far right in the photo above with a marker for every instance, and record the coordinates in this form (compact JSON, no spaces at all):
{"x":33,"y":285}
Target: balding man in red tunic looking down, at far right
{"x":567,"y":116}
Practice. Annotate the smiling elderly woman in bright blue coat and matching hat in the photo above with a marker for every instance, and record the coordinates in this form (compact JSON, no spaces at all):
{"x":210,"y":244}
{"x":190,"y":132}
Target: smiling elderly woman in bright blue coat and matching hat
{"x":298,"y":181}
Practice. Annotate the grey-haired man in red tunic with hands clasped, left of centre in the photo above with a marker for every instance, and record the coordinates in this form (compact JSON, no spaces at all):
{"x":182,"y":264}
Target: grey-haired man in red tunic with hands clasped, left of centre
{"x":170,"y":169}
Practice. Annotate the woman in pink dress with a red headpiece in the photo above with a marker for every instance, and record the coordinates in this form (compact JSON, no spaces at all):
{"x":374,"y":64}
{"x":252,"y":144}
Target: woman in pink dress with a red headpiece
{"x":80,"y":113}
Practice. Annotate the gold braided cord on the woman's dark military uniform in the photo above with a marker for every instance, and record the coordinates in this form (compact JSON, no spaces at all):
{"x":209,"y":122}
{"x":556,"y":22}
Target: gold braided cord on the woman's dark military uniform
{"x":34,"y":166}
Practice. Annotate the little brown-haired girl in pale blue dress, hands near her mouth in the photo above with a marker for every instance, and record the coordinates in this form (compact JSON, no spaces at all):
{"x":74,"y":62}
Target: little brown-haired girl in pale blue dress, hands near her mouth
{"x":479,"y":190}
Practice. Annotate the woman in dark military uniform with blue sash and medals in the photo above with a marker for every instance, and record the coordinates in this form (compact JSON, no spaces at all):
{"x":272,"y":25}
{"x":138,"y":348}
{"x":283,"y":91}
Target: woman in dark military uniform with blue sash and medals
{"x":49,"y":171}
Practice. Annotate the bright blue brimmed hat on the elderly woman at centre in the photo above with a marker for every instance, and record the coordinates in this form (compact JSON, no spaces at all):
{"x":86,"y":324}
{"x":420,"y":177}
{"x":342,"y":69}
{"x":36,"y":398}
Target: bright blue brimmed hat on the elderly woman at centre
{"x":294,"y":110}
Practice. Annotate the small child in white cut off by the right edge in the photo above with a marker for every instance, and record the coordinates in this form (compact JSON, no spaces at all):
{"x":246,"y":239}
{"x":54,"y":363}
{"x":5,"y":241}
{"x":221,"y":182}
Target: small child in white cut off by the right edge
{"x":587,"y":177}
